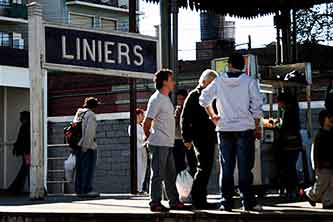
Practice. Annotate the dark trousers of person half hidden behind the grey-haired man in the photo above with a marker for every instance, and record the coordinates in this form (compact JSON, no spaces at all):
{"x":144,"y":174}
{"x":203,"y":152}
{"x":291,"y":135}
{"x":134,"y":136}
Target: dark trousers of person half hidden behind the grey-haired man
{"x":180,"y":151}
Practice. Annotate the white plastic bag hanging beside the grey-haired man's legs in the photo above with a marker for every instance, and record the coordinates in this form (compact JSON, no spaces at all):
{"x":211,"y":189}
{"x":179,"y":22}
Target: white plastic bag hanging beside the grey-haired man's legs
{"x":184,"y":183}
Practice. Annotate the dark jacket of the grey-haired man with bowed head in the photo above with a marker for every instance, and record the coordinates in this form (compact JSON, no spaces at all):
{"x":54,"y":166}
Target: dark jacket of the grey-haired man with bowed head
{"x":195,"y":123}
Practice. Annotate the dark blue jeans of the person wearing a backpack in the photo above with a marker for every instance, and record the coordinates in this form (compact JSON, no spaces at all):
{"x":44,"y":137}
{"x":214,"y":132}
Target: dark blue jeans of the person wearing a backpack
{"x":85,"y":170}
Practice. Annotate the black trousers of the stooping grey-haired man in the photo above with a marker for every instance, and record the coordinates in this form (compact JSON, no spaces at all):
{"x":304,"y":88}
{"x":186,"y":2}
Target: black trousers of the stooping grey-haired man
{"x":204,"y":152}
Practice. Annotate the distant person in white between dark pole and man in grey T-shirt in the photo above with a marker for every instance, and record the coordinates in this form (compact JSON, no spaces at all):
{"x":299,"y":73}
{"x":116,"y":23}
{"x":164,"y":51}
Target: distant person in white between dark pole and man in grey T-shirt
{"x":141,"y":150}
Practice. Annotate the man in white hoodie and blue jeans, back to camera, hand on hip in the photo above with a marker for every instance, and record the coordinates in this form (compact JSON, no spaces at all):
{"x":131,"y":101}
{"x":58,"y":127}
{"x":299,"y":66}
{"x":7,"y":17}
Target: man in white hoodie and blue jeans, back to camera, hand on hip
{"x":239,"y":105}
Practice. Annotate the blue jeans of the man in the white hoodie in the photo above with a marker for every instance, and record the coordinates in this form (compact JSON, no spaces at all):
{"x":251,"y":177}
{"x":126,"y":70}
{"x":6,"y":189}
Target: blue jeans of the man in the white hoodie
{"x":240,"y":145}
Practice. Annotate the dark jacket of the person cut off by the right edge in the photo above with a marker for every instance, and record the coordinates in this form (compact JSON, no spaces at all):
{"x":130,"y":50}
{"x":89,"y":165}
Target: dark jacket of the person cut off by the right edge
{"x":323,"y":150}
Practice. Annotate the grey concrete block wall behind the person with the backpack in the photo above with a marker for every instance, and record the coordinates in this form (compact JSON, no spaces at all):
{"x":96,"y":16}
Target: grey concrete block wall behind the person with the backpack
{"x":113,"y":168}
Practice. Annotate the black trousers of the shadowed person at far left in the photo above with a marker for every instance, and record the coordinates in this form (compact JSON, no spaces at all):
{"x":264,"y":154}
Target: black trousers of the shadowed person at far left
{"x":17,"y":185}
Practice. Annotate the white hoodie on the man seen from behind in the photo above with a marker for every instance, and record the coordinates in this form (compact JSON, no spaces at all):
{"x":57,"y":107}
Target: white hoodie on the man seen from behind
{"x":238,"y":101}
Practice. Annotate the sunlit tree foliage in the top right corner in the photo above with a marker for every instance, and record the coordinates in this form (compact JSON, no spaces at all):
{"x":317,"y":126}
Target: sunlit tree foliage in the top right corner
{"x":315,"y":25}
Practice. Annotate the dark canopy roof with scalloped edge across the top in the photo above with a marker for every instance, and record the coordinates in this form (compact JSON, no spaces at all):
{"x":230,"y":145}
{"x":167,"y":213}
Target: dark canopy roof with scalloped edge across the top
{"x":245,"y":9}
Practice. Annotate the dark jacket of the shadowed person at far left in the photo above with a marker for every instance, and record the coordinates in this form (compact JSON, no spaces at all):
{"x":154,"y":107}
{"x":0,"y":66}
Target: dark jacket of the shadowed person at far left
{"x":22,"y":144}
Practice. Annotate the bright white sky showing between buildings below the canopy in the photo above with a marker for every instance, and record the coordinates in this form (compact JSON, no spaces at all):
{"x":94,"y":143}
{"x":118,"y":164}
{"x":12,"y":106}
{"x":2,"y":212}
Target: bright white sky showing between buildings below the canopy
{"x":261,"y":30}
